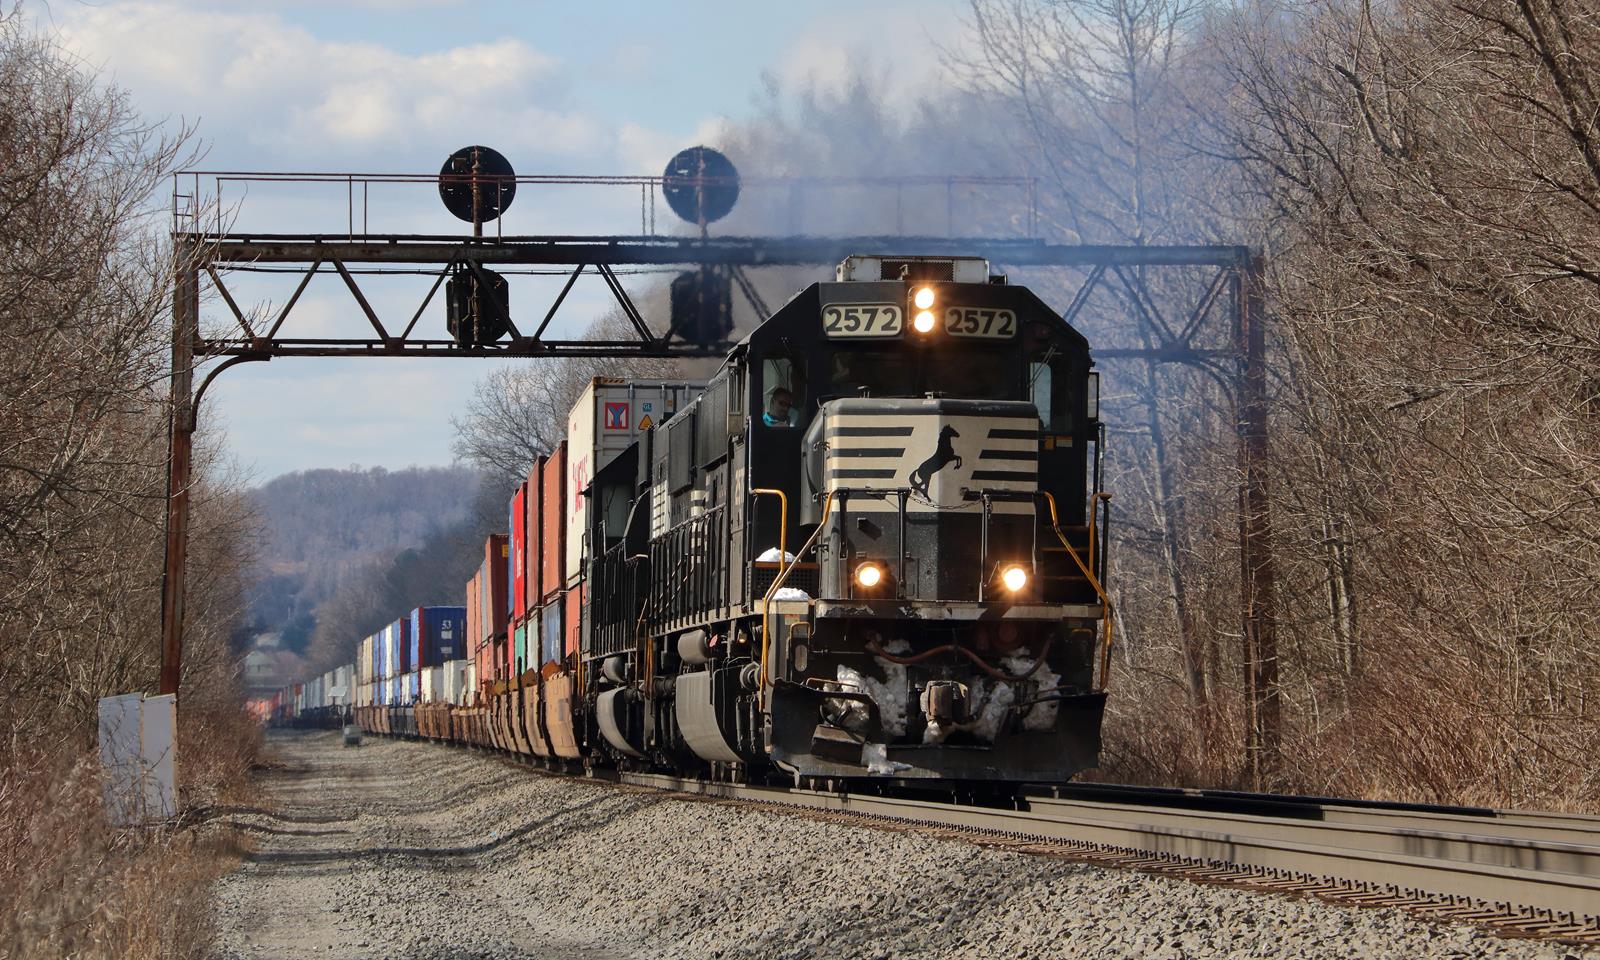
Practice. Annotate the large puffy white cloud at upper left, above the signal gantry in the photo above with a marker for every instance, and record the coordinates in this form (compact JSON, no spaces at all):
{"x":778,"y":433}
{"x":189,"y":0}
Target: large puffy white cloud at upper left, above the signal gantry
{"x":258,"y":81}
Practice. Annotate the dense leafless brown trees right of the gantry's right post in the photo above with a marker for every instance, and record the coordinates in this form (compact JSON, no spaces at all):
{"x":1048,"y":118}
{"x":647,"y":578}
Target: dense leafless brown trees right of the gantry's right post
{"x":1431,"y":170}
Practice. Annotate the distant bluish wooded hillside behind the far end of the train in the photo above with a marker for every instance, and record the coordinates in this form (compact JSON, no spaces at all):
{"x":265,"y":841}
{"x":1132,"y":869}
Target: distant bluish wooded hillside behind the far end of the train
{"x":326,"y":527}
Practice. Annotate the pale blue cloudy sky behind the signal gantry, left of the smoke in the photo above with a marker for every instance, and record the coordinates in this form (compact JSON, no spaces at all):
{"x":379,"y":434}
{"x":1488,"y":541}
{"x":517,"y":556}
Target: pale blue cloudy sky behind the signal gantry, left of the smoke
{"x":394,"y":87}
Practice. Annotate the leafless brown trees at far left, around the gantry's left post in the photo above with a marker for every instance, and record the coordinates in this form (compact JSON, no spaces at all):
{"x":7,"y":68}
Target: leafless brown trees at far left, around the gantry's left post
{"x":84,"y":318}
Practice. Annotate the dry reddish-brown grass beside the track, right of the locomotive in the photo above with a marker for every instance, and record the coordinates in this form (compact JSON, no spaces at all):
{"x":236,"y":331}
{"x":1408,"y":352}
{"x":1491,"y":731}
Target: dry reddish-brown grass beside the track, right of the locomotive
{"x":1420,"y":730}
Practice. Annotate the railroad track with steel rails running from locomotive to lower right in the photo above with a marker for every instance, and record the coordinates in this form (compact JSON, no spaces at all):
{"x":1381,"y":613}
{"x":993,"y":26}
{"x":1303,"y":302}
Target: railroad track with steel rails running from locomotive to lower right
{"x":1522,"y":874}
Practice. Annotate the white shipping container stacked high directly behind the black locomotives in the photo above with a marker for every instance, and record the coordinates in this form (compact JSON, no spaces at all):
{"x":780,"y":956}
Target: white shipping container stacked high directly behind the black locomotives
{"x":610,"y":417}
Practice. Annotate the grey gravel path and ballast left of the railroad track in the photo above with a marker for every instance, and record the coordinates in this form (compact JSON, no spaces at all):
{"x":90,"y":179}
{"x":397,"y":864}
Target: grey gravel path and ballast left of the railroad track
{"x":422,"y":852}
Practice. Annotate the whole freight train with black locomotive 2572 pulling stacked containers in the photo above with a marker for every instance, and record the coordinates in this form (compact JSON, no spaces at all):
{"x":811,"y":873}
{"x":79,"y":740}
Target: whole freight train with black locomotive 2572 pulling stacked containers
{"x":870,"y":548}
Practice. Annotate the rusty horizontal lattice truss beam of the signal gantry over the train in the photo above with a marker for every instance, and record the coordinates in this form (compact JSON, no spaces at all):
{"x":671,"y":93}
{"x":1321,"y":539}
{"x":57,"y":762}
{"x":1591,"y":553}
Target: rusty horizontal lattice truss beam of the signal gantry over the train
{"x":263,"y":335}
